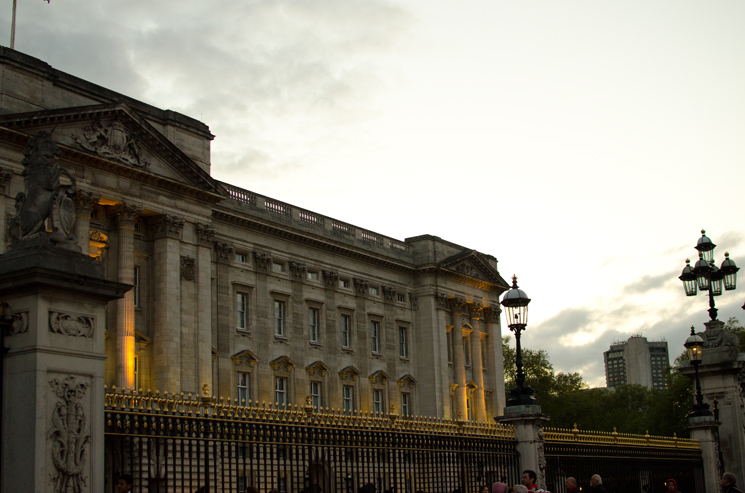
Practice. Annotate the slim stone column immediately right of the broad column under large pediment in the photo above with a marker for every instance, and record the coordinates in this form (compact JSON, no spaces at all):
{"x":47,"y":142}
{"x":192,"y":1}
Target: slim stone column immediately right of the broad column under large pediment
{"x":204,"y":235}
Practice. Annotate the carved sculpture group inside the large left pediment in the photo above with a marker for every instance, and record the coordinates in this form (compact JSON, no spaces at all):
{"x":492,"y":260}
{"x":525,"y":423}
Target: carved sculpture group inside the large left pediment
{"x":113,"y":141}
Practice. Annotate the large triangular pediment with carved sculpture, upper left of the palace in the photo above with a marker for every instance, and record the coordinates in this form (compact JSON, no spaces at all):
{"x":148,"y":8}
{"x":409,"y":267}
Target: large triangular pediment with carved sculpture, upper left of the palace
{"x":117,"y":135}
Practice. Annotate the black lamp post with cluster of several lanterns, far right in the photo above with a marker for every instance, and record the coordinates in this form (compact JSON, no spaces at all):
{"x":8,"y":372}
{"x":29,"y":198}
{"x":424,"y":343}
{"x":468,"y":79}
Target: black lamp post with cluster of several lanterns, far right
{"x":706,"y":276}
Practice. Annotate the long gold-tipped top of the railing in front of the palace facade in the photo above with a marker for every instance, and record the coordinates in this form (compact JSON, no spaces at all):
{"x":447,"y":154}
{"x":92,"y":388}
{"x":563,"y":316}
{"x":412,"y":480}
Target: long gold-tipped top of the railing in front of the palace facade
{"x":189,"y":405}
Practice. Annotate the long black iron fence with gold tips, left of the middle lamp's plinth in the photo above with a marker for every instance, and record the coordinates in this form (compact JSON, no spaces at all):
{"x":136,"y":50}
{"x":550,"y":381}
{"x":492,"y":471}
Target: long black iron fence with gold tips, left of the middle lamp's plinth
{"x":172,"y":443}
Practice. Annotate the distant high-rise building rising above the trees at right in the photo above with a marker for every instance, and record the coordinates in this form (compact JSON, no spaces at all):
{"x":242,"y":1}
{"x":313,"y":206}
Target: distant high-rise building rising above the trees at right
{"x":636,"y":361}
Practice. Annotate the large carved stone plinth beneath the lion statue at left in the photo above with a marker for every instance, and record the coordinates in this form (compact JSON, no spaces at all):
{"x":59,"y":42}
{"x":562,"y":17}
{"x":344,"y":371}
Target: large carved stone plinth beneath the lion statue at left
{"x":53,"y":379}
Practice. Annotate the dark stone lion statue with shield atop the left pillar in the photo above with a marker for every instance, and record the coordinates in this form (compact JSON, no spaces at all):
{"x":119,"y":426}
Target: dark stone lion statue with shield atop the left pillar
{"x":46,"y":199}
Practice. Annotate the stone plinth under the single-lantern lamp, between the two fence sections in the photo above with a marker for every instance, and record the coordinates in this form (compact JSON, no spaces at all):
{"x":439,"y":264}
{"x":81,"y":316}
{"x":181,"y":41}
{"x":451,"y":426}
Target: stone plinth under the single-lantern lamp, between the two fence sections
{"x":528,"y":424}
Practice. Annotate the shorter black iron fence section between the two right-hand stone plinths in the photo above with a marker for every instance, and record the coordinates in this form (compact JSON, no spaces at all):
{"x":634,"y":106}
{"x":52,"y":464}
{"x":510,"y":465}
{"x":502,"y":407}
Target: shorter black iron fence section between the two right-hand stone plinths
{"x":626,"y":463}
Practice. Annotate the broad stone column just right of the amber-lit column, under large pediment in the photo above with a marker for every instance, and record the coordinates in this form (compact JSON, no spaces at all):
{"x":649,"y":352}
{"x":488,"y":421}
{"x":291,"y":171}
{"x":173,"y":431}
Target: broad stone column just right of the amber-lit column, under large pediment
{"x":166,"y":233}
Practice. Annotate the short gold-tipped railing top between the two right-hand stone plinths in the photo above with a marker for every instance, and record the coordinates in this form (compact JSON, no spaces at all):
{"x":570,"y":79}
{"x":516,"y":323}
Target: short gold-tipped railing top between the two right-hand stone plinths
{"x":615,"y":438}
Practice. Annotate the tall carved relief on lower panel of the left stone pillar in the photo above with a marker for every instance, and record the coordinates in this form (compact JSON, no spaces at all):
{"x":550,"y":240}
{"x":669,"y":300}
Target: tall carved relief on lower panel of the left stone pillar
{"x":69,"y":434}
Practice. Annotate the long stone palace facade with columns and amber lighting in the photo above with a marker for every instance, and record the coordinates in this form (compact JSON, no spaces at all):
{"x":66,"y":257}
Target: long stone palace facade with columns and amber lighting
{"x":239,"y":295}
